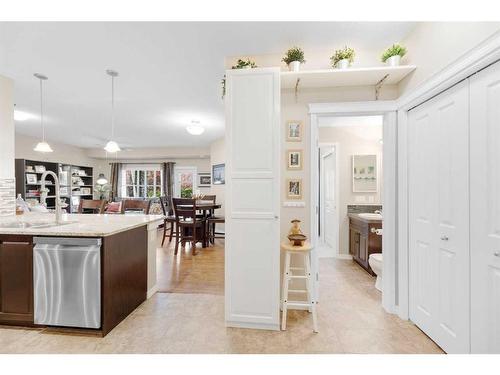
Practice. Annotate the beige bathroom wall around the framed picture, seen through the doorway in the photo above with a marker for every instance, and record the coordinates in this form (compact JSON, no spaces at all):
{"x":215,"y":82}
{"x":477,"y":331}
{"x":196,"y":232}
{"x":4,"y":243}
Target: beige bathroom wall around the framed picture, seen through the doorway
{"x":350,"y":144}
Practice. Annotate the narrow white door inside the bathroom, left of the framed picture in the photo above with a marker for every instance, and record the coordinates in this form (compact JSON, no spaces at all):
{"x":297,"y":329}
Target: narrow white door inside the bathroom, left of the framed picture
{"x":329,"y":225}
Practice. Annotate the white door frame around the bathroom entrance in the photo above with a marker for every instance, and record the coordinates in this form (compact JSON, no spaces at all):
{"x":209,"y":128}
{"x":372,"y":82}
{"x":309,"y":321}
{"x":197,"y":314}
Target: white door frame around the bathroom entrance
{"x":386,"y":108}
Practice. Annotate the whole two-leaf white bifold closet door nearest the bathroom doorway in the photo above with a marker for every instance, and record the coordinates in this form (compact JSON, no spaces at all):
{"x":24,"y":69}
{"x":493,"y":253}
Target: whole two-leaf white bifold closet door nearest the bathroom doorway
{"x":439,"y":218}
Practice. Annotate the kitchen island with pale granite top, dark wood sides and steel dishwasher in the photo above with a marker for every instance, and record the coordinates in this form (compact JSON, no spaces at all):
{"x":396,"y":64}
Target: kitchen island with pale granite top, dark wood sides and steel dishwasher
{"x":125,"y":276}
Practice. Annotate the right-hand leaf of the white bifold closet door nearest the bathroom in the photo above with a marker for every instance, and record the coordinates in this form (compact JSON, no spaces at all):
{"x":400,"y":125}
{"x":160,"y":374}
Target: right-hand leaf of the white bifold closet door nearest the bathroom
{"x":452,"y":128}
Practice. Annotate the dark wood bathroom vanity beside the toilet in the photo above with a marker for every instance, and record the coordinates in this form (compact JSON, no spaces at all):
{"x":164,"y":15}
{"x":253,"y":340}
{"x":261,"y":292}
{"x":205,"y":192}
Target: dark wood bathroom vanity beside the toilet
{"x":363,"y":239}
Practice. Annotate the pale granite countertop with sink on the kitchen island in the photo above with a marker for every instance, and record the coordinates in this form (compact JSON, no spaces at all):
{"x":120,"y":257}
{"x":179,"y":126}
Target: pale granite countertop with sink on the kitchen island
{"x":76,"y":225}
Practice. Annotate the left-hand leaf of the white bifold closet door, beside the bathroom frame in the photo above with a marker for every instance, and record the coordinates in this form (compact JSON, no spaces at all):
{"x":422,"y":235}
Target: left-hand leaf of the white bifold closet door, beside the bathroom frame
{"x":422,"y":222}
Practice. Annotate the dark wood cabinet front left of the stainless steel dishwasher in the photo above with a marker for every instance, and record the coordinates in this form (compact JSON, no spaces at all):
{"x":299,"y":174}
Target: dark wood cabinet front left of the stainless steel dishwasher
{"x":16,"y":279}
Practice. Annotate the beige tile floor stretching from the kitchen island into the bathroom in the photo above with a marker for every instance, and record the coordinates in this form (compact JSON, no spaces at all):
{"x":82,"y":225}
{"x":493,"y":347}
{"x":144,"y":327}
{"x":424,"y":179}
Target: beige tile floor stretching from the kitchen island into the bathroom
{"x":351,"y":320}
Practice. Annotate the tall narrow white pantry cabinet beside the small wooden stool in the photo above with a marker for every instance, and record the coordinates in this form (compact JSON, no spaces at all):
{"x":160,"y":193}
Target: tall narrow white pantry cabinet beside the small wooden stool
{"x":252,"y":251}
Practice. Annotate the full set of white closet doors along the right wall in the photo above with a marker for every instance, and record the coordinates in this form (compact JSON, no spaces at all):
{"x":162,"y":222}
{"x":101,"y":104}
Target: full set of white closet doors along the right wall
{"x":454,"y":215}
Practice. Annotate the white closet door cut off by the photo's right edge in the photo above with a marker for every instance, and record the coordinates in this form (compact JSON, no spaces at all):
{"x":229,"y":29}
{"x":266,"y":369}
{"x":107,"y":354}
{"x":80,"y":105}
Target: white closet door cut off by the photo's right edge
{"x":485,"y":210}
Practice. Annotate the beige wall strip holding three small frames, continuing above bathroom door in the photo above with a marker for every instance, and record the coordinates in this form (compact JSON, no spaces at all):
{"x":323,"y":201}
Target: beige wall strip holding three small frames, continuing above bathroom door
{"x":292,"y":109}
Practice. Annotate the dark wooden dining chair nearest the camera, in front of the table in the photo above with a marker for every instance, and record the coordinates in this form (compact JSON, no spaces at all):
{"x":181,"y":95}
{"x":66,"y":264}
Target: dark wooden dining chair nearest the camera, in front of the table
{"x":189,"y":228}
